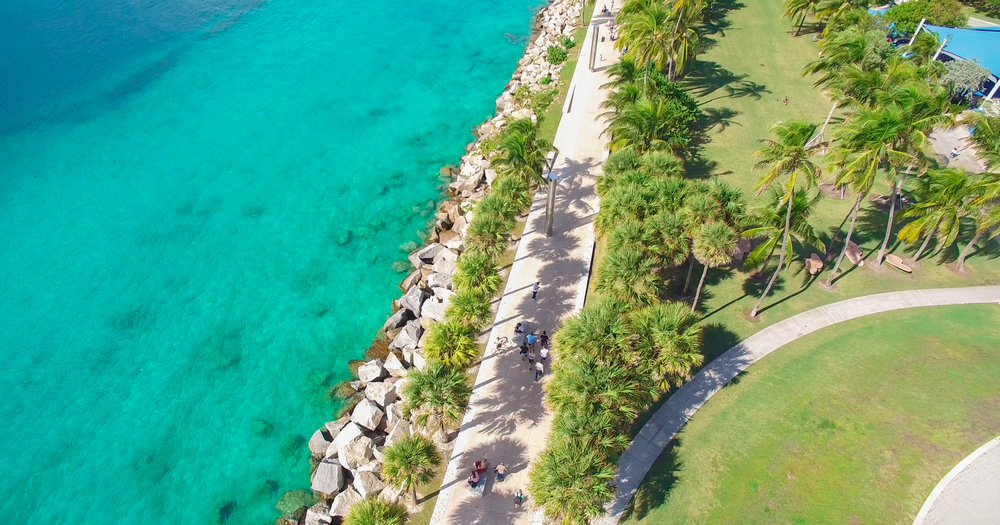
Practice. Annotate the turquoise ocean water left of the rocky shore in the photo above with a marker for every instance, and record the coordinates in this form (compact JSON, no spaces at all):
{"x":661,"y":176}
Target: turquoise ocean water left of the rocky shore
{"x":177,"y":182}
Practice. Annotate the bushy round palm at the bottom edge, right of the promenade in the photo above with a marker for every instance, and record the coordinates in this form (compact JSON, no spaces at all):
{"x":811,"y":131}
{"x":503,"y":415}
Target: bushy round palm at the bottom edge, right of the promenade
{"x":572,"y":481}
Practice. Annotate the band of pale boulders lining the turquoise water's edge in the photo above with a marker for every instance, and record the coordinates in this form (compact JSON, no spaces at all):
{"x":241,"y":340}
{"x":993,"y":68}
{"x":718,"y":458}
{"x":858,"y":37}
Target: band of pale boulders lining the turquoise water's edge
{"x":347,"y":454}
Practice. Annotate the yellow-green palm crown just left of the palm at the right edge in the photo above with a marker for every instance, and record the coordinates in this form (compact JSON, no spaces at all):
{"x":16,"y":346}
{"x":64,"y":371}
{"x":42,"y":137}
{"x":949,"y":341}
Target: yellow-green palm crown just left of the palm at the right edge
{"x":943,"y":195}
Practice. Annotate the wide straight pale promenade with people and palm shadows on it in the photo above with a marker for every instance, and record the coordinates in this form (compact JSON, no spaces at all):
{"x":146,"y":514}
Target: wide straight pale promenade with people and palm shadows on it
{"x":507,"y":420}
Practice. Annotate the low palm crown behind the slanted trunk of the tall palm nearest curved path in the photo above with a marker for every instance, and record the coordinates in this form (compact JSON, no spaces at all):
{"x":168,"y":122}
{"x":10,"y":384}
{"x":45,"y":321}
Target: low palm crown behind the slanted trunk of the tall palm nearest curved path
{"x":767,"y":222}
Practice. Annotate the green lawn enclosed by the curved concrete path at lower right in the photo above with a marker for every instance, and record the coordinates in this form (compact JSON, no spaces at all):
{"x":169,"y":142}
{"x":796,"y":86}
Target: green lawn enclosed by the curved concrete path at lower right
{"x":854,"y":424}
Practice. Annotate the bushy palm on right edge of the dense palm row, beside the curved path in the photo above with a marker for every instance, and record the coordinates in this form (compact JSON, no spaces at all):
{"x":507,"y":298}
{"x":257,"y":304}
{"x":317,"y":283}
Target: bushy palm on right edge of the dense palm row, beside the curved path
{"x":670,"y":339}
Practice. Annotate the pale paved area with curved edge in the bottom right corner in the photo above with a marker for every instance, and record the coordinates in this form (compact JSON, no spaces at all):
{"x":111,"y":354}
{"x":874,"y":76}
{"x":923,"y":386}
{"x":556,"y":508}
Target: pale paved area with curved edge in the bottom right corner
{"x":968,"y":493}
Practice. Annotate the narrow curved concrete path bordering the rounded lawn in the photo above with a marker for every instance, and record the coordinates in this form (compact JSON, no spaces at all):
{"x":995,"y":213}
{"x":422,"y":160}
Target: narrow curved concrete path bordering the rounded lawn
{"x":682,"y":404}
